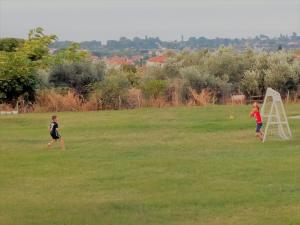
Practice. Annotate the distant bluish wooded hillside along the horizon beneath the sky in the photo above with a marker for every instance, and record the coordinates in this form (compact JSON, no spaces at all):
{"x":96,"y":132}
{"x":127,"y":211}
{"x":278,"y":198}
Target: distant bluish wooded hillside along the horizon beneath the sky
{"x":137,"y":44}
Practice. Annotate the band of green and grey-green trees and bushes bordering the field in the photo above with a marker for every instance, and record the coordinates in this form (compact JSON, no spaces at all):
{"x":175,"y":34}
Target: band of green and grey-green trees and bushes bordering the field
{"x":28,"y":70}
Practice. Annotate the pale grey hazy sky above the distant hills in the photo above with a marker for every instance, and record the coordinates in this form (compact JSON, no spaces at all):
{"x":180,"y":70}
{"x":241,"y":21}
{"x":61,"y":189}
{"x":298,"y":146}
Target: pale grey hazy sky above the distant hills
{"x":169,"y":19}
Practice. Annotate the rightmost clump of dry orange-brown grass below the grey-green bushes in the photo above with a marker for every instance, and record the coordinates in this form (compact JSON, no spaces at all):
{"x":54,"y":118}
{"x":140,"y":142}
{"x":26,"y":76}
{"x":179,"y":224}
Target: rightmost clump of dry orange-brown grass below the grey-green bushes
{"x":205,"y":97}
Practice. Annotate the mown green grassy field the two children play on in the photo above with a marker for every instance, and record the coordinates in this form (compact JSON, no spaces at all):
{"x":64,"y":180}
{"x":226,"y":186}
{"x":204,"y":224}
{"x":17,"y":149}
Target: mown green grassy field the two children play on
{"x":150,"y":166}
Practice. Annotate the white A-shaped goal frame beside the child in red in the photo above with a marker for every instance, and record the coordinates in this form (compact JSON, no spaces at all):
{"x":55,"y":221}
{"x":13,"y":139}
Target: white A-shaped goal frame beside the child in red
{"x":273,"y":116}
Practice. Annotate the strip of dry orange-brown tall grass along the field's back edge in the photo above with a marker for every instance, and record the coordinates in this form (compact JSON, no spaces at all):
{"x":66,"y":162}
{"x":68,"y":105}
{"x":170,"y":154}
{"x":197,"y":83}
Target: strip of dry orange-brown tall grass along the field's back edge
{"x":54,"y":101}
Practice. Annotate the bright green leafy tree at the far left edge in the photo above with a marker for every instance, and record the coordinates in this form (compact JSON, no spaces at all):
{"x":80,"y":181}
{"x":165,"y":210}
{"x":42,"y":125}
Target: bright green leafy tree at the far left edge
{"x":19,"y":65}
